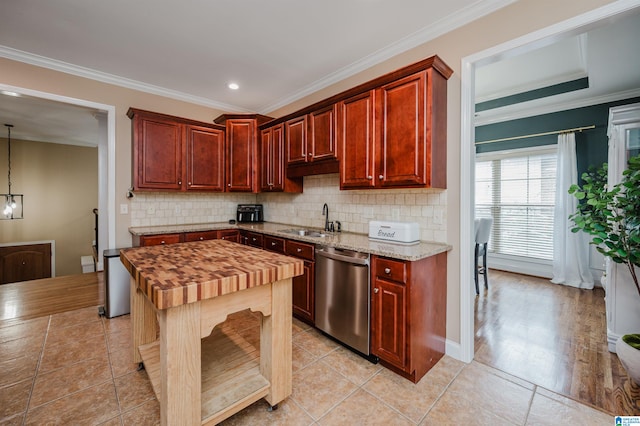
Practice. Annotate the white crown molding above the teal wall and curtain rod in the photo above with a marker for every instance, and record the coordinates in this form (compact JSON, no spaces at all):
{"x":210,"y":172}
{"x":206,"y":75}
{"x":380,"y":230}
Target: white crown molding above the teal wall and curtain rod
{"x":509,"y":113}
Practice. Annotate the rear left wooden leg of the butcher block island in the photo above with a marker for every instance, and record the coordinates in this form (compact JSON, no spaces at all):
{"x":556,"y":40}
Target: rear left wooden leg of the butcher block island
{"x":143,"y":320}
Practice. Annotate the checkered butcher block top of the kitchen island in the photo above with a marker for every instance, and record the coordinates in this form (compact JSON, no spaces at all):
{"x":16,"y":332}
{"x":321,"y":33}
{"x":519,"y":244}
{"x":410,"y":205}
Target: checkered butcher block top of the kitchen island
{"x":176,"y":274}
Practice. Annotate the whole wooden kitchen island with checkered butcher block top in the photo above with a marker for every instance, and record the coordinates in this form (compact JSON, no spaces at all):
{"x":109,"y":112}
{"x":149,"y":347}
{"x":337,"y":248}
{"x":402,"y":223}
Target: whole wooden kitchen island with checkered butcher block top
{"x":180,"y":292}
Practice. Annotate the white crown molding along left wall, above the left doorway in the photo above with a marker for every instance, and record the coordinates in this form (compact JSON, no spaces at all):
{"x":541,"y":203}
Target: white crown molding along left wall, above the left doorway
{"x":65,"y":67}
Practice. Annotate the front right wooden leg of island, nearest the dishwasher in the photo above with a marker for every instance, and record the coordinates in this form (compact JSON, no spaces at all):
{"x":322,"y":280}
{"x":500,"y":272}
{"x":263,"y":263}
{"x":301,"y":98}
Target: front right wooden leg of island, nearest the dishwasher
{"x":275,"y":343}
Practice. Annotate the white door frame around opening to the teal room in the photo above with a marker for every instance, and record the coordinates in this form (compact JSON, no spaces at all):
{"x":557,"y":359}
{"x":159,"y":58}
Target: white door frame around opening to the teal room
{"x":568,"y":28}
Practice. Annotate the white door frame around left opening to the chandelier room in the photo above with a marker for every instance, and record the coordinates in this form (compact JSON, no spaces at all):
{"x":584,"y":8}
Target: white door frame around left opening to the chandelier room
{"x":106,"y":163}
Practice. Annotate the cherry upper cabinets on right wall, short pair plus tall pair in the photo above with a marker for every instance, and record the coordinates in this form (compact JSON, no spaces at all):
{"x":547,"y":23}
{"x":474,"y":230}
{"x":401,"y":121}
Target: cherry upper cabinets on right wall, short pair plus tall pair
{"x":389,"y":132}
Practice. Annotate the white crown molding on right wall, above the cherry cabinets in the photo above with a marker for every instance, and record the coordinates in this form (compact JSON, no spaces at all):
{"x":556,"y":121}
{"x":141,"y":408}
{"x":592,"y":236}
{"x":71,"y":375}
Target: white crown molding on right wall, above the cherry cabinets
{"x":443,"y":26}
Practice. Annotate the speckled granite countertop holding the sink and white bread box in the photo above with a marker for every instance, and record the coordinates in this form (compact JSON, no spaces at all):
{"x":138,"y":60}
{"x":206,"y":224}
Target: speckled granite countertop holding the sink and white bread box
{"x":343,"y":240}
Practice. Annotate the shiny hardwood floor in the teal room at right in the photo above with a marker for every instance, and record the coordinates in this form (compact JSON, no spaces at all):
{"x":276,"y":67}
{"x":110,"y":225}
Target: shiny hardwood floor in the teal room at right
{"x":553,"y":336}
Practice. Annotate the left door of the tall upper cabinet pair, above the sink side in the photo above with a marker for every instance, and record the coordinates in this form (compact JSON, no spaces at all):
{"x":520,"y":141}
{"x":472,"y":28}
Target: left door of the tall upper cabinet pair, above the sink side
{"x":356,"y":138}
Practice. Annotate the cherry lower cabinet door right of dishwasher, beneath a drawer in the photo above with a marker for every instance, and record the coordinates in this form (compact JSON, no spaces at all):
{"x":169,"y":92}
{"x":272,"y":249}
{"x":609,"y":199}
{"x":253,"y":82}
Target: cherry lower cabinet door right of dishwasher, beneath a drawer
{"x":388,"y":322}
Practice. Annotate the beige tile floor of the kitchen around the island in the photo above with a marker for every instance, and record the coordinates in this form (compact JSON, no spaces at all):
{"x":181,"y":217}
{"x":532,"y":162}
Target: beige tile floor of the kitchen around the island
{"x":76,"y":368}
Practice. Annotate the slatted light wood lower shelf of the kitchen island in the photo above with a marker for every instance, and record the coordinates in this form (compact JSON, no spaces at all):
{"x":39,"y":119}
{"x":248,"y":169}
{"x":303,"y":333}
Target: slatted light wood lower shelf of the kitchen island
{"x":231,"y":378}
